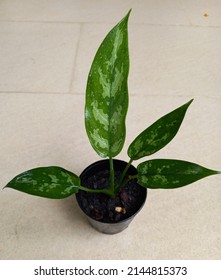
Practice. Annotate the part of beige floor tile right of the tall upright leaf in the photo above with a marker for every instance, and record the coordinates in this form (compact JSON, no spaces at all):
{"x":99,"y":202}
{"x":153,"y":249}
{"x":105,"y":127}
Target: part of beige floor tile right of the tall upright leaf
{"x":178,"y":61}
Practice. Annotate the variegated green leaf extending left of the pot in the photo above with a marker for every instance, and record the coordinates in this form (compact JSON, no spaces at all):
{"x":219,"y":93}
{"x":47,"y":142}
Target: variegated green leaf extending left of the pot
{"x":49,"y":182}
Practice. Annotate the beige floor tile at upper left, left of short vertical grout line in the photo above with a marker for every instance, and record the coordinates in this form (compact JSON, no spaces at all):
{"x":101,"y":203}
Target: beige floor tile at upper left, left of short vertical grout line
{"x":37,"y":57}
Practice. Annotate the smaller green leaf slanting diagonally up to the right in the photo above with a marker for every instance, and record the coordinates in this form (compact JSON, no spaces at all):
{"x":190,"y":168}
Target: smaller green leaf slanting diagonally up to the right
{"x":158,"y":135}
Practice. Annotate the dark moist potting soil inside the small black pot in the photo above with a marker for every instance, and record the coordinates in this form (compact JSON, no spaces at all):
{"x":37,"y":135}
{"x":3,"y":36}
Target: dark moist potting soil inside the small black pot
{"x":110,"y":210}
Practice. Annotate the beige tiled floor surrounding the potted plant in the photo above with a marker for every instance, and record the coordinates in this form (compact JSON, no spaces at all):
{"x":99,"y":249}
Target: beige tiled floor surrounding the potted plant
{"x":46,"y":48}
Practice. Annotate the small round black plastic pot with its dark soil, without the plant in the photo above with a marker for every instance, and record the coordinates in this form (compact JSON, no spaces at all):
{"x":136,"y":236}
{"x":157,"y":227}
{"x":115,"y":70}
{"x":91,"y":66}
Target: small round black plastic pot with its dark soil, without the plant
{"x":105,"y":214}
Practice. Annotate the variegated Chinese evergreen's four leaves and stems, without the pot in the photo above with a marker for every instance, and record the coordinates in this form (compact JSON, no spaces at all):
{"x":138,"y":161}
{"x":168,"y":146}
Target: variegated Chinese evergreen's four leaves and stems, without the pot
{"x":105,"y":114}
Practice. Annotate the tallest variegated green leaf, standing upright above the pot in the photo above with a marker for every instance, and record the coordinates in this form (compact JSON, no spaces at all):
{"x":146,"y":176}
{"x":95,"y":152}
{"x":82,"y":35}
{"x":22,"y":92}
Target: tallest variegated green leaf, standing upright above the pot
{"x":107,"y":93}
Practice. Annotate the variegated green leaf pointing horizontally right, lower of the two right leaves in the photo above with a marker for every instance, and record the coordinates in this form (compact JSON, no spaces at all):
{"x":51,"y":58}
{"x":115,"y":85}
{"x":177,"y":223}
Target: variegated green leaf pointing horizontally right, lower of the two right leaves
{"x":169,"y":173}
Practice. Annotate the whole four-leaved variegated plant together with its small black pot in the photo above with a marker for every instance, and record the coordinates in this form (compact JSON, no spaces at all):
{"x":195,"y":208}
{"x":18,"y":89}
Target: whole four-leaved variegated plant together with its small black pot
{"x":110,"y":192}
